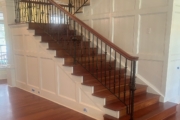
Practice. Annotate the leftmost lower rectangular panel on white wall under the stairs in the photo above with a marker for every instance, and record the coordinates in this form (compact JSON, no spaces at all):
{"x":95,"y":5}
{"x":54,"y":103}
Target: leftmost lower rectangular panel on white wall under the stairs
{"x":20,"y":68}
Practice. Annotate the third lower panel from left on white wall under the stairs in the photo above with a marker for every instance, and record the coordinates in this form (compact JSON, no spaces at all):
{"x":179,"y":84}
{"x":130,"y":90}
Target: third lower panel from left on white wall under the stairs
{"x":48,"y":75}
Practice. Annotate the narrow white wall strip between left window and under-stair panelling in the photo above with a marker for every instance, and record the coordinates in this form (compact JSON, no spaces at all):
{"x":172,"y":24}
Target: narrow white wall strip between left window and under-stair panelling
{"x":7,"y":7}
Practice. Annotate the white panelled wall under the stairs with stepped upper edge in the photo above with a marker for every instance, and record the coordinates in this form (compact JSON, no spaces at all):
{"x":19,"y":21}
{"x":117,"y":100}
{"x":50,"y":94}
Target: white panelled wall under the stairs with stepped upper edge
{"x":38,"y":71}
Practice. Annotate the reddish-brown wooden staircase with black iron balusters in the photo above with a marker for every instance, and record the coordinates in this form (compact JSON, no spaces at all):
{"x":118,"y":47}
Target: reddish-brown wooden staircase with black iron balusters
{"x":110,"y":70}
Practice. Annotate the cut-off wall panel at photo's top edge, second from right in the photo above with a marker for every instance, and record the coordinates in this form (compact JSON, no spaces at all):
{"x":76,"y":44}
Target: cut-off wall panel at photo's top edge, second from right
{"x":123,"y":5}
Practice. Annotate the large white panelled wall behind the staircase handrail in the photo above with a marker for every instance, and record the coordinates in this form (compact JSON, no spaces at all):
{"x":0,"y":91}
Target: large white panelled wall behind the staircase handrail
{"x":141,"y":28}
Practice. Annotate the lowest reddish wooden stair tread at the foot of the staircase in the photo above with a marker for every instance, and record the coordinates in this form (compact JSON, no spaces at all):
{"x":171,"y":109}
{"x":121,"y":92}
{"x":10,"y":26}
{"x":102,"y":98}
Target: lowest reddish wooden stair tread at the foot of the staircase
{"x":153,"y":112}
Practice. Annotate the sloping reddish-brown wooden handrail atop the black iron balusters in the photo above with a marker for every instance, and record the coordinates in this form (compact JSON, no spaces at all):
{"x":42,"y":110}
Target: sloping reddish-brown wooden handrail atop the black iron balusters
{"x":116,"y":48}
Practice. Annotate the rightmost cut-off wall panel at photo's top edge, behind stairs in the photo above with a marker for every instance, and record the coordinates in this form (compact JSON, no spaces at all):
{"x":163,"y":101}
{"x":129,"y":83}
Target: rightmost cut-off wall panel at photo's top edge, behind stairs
{"x":153,"y":3}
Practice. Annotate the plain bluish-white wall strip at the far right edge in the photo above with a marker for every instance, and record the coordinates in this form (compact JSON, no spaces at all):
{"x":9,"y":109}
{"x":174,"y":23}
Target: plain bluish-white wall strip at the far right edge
{"x":173,"y":76}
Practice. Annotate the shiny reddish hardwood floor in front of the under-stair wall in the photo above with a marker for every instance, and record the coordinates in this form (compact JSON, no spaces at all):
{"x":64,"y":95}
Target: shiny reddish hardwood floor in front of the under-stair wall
{"x":16,"y":104}
